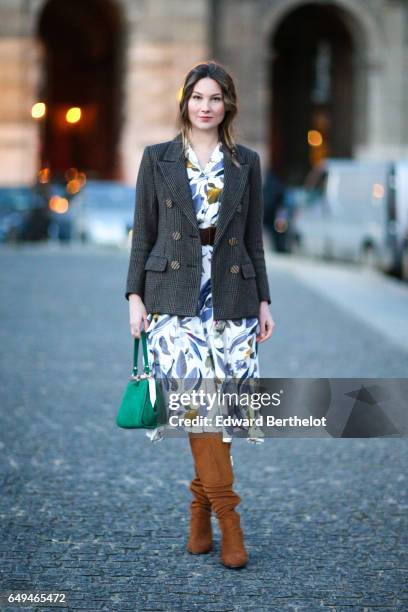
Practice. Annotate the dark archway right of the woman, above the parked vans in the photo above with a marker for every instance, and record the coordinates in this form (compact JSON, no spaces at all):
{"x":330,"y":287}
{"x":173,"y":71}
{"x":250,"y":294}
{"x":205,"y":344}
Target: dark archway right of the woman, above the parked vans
{"x":312,"y":82}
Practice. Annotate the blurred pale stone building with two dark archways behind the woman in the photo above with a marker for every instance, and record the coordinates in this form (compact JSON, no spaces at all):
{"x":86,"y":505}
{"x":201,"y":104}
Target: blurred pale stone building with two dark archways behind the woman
{"x":88,"y":83}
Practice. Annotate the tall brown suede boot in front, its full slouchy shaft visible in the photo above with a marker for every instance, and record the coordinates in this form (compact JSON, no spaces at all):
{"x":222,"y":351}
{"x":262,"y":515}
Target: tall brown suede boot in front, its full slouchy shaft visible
{"x":213,"y":463}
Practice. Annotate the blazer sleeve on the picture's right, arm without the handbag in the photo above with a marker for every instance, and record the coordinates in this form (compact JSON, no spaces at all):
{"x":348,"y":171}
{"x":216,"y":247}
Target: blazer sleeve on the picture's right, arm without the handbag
{"x":253,"y":230}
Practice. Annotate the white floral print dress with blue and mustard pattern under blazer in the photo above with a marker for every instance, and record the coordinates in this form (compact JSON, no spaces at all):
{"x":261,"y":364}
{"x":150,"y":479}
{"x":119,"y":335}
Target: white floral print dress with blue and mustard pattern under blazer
{"x":198,"y":352}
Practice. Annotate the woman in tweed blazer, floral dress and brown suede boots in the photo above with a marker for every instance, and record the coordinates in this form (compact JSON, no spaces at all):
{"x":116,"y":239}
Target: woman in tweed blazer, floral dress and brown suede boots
{"x":197,"y":283}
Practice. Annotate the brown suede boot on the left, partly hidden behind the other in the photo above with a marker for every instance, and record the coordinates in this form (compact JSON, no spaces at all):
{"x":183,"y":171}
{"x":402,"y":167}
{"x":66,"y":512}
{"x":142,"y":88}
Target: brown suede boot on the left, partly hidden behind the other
{"x":201,"y":538}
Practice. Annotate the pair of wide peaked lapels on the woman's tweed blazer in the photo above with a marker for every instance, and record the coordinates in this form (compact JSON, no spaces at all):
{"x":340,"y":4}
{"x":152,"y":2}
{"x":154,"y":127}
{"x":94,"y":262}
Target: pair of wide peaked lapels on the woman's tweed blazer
{"x":174,"y":173}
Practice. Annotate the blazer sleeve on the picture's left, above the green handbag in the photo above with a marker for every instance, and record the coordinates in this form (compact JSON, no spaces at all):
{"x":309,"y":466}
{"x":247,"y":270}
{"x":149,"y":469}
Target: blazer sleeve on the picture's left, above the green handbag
{"x":145,"y":222}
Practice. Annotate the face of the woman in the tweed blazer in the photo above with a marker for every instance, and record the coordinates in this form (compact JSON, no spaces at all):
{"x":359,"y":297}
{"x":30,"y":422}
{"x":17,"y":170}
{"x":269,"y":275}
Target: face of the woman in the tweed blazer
{"x":206,"y":105}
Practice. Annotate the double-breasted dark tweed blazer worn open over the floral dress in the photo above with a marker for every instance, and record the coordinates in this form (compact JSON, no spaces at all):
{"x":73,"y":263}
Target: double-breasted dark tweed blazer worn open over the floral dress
{"x":165,"y":259}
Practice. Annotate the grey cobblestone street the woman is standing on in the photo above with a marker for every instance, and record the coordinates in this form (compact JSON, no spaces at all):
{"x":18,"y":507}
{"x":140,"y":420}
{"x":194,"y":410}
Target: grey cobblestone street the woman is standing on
{"x":102,"y":513}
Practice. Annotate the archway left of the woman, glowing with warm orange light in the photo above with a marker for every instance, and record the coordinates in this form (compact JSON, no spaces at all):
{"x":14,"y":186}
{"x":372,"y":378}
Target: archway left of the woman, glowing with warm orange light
{"x":83,"y":52}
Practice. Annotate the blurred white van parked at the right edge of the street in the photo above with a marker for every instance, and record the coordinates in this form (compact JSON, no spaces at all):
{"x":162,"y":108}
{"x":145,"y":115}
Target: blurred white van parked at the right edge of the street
{"x":351,"y":210}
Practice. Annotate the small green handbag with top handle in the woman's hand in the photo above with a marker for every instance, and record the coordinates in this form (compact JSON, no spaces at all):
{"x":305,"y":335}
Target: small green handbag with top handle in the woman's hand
{"x":142,"y":405}
